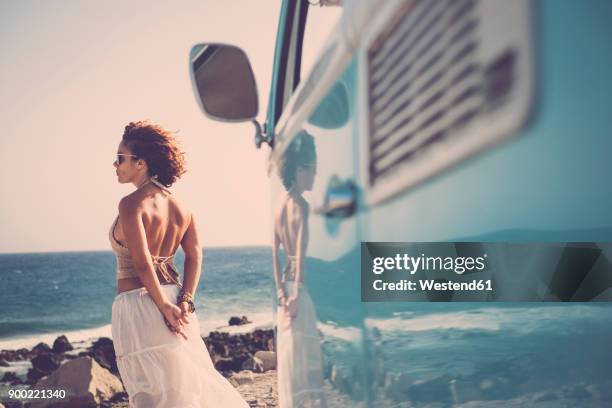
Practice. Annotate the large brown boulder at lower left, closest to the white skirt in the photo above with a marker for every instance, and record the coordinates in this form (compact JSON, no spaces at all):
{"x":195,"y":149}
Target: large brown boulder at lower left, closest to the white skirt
{"x":87,"y":384}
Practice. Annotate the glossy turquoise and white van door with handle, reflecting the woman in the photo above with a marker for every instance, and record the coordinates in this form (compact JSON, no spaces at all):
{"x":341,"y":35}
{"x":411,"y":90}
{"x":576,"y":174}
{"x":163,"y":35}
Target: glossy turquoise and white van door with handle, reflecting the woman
{"x":311,"y":120}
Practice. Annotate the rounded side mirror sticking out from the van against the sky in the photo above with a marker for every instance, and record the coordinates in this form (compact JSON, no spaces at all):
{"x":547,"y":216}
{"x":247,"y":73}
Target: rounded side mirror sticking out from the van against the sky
{"x":223,"y":82}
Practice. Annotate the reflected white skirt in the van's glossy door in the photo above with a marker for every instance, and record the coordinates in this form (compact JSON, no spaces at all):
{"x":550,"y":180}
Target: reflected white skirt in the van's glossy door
{"x":299,"y":364}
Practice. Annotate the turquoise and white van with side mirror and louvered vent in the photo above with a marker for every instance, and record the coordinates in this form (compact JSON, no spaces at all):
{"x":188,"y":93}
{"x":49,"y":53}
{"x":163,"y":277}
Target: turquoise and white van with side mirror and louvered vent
{"x":422,"y":121}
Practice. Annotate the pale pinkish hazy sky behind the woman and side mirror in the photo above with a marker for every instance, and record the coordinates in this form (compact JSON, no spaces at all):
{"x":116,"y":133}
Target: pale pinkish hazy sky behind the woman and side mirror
{"x":74,"y":73}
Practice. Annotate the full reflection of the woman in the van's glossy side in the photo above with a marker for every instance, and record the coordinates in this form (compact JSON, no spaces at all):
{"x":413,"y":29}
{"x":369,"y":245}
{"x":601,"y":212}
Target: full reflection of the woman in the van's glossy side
{"x":300,"y":380}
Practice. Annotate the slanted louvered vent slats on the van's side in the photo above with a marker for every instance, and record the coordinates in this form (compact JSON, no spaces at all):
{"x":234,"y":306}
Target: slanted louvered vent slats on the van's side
{"x":425,"y":83}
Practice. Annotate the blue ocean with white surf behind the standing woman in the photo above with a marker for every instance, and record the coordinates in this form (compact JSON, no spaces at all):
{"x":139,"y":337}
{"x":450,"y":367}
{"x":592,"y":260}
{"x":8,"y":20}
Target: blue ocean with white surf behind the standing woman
{"x":44,"y":295}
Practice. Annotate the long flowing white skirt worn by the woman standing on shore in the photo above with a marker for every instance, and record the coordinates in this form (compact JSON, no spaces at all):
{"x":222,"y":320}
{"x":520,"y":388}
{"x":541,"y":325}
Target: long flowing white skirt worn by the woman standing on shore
{"x":160,"y":369}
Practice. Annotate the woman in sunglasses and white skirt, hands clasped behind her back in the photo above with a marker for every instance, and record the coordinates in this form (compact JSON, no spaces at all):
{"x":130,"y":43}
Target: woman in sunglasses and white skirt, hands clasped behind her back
{"x":160,"y":354}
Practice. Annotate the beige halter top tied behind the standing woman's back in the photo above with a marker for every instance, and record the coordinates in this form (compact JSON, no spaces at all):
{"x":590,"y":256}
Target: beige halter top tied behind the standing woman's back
{"x":125,"y":266}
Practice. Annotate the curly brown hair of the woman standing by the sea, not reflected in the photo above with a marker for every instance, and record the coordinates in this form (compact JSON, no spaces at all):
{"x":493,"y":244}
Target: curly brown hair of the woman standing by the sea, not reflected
{"x":158,"y":148}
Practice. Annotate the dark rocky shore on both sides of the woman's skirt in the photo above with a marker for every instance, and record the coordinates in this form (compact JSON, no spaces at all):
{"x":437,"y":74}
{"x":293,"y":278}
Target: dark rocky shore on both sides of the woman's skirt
{"x":90,"y":369}
